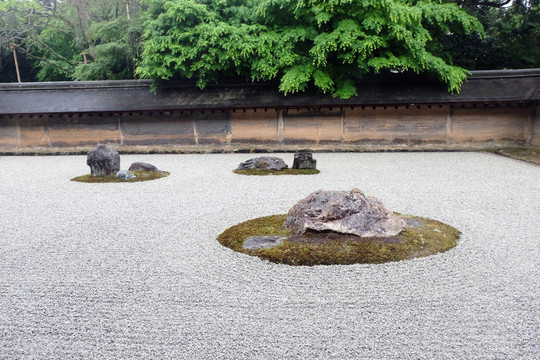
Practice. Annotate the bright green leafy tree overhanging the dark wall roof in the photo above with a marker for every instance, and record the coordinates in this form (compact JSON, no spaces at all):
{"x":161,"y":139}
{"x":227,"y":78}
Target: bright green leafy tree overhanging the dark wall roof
{"x":329,"y":44}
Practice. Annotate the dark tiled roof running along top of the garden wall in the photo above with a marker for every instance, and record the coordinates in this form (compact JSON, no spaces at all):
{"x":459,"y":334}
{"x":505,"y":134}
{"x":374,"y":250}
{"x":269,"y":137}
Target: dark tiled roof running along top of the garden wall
{"x":482,"y":87}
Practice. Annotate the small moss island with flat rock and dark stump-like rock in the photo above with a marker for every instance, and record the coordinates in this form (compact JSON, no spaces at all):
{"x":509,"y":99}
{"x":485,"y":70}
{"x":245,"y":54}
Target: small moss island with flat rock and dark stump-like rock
{"x":303,"y":163}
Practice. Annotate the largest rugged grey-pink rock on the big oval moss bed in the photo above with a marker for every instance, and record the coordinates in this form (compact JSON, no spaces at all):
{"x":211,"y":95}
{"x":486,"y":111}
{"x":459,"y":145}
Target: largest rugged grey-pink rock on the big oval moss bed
{"x":346,"y":212}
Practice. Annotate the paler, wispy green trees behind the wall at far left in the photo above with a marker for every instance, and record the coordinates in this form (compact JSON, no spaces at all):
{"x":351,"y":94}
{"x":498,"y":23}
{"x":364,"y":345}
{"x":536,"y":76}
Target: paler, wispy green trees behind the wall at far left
{"x":55,"y":35}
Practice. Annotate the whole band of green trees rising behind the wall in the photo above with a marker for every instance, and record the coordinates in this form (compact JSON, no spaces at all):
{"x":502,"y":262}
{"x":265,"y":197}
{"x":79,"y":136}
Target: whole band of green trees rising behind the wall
{"x":328,"y":45}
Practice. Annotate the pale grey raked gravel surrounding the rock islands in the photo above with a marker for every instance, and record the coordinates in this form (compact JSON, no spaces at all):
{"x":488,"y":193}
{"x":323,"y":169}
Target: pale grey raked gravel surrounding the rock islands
{"x":101,"y":271}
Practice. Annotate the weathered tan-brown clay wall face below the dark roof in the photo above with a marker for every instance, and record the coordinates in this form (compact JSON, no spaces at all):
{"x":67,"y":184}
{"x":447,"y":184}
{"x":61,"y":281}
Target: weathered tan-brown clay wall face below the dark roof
{"x":438,"y":127}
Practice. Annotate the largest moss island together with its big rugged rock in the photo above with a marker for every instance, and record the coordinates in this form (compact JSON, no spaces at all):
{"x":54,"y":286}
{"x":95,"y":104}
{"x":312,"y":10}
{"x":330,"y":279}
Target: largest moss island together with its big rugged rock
{"x":339,"y":227}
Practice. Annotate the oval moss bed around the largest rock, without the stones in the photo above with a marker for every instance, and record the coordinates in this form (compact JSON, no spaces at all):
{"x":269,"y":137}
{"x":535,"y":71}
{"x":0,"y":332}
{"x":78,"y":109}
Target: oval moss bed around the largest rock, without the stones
{"x":329,"y":248}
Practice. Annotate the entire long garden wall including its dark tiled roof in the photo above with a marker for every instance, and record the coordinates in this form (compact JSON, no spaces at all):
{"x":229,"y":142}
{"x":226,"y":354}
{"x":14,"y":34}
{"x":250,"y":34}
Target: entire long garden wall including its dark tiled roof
{"x":494,"y":108}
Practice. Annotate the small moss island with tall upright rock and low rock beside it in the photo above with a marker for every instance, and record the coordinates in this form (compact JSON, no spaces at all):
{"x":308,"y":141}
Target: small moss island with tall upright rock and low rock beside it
{"x":104,"y":166}
